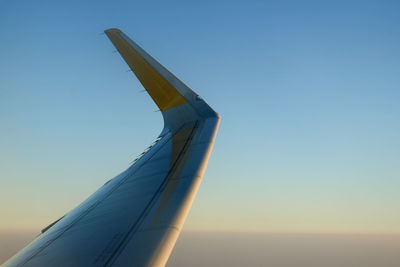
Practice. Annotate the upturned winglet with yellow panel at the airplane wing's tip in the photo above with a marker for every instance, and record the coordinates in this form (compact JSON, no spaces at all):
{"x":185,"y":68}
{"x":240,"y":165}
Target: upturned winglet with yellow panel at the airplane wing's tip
{"x":176,"y":101}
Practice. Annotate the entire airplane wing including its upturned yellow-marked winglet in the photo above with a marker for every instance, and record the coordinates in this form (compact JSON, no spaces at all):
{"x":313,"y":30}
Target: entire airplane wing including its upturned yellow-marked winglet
{"x":135,"y":218}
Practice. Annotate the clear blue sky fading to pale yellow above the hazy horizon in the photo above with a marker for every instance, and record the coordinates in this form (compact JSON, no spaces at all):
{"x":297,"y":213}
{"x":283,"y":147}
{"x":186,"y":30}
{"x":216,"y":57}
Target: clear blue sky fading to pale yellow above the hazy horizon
{"x":308,"y":92}
